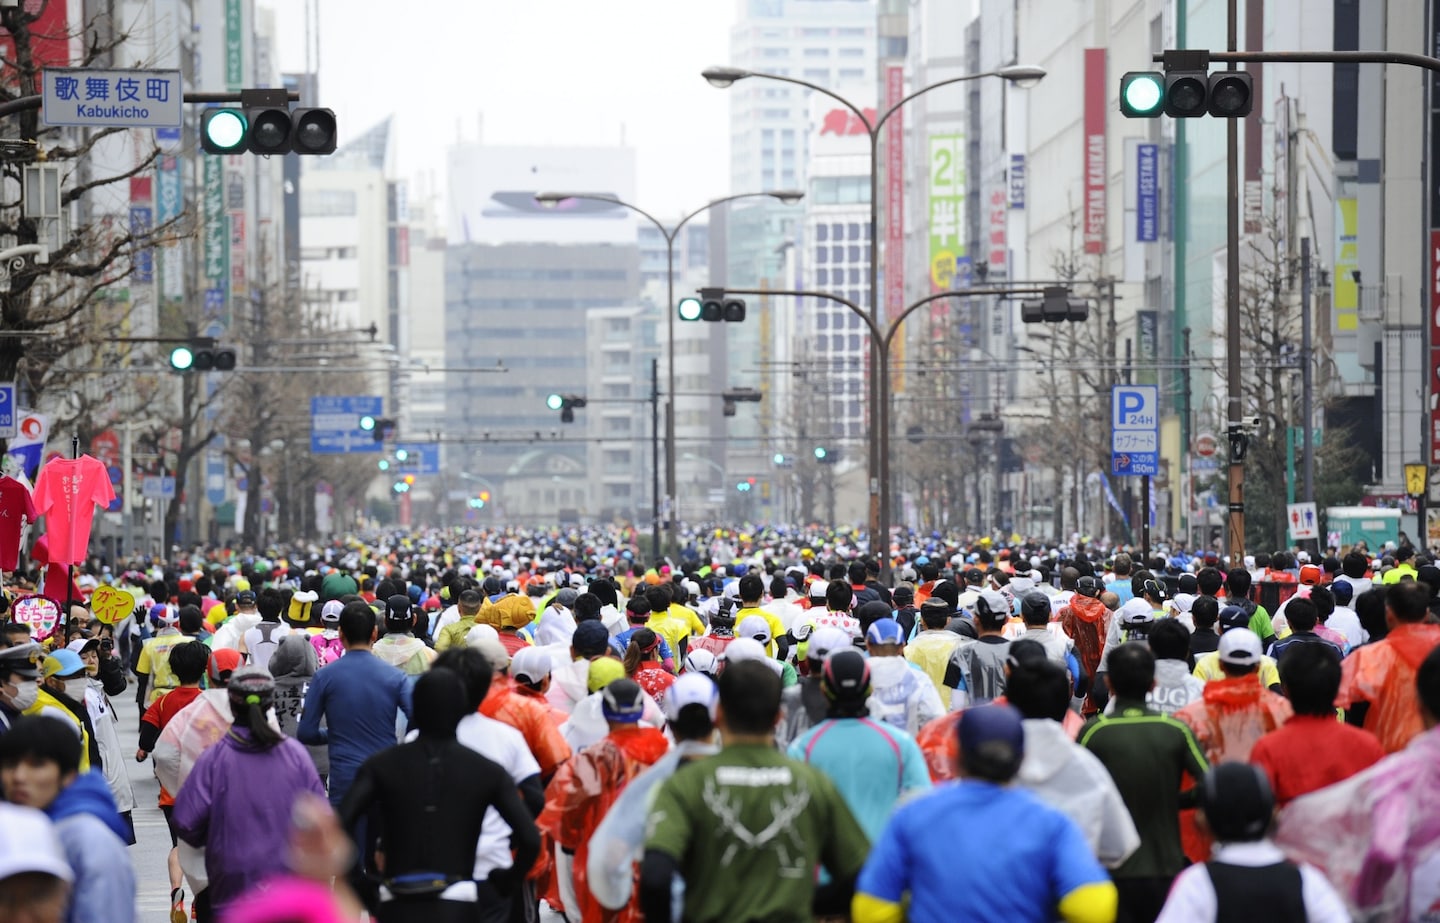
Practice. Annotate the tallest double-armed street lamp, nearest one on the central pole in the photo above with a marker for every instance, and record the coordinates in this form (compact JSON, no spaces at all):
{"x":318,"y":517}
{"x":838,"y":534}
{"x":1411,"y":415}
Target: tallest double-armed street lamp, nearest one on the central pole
{"x":1020,"y":76}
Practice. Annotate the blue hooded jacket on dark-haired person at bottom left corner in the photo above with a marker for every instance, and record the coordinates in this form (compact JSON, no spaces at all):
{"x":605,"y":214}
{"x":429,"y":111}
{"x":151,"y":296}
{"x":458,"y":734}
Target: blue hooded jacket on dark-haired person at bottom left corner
{"x":94,"y":837}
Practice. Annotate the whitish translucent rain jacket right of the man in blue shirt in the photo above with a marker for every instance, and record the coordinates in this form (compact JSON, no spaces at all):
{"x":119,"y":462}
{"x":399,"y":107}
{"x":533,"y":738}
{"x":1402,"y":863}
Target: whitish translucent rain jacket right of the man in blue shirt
{"x":1075,"y":783}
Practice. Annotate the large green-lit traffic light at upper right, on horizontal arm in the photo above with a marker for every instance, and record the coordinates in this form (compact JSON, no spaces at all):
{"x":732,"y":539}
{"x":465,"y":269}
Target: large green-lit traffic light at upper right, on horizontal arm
{"x":1187,"y":90}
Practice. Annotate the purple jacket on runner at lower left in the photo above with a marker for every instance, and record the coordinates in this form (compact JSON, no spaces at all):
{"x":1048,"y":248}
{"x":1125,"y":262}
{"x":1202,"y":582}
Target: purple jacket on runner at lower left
{"x":237,"y":804}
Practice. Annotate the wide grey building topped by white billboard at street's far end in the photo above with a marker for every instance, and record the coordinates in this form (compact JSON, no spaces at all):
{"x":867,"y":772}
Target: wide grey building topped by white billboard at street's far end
{"x":519,"y":284}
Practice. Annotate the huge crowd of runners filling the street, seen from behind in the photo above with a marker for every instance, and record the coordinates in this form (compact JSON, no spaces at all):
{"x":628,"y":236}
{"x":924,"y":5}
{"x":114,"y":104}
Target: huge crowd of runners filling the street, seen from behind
{"x":503,"y":726}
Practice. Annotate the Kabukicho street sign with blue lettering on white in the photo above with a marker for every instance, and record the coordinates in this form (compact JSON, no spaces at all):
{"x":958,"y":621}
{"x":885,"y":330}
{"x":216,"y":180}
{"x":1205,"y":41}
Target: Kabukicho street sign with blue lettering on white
{"x":129,"y":99}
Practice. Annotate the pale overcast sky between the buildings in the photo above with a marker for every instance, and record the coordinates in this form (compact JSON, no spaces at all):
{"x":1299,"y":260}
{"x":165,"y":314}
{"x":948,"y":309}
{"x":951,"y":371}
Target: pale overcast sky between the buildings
{"x":534,"y":73}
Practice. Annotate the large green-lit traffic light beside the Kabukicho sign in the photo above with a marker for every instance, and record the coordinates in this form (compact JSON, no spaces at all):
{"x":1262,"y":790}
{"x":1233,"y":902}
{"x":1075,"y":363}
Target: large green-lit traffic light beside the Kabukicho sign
{"x":266,"y":125}
